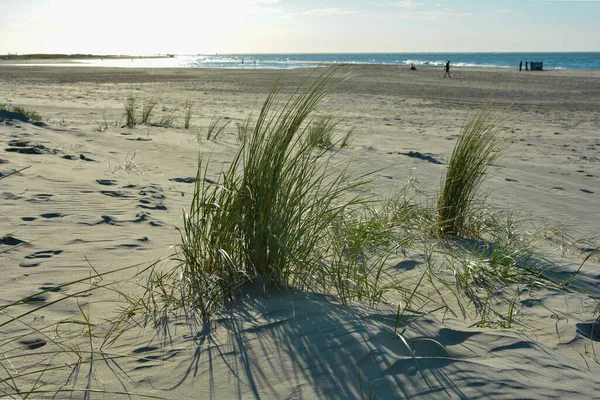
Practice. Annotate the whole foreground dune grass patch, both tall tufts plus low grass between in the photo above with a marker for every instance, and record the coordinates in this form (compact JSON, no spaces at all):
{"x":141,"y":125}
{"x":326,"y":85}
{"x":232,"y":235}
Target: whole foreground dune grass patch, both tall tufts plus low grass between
{"x":284,"y":214}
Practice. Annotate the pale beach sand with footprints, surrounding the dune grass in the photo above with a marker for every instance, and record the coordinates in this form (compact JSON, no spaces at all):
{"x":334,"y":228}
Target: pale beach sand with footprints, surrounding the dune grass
{"x":96,"y":194}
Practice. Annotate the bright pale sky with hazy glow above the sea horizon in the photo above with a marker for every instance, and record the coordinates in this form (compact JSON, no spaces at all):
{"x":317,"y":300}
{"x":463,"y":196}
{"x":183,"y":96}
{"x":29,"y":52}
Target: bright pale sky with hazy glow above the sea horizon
{"x":148,"y":27}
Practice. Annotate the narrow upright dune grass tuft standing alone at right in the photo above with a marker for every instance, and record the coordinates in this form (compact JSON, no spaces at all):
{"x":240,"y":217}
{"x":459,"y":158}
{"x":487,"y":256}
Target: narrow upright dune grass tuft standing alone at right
{"x":478,"y":148}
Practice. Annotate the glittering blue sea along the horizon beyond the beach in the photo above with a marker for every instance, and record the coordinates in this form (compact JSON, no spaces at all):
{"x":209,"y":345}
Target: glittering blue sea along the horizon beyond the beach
{"x":551,"y":61}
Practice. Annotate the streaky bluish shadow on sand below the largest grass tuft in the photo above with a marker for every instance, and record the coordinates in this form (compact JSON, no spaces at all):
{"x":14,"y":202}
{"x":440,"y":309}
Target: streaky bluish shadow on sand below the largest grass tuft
{"x":311,"y":346}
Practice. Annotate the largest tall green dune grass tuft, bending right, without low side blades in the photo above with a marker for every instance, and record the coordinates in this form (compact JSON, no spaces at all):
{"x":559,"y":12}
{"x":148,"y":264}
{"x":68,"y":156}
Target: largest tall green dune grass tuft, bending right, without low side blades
{"x":267,"y":218}
